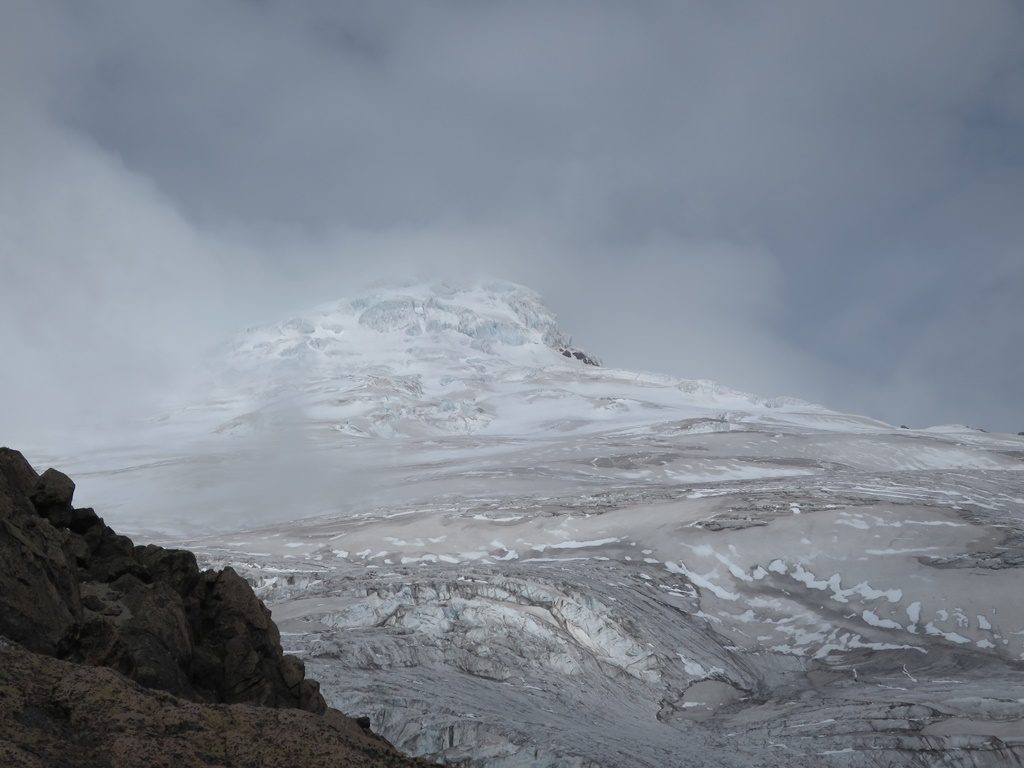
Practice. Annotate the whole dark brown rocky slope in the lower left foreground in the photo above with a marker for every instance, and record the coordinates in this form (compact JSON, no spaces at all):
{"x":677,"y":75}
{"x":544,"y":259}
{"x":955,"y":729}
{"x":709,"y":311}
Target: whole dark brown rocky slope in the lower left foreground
{"x":115,"y":655}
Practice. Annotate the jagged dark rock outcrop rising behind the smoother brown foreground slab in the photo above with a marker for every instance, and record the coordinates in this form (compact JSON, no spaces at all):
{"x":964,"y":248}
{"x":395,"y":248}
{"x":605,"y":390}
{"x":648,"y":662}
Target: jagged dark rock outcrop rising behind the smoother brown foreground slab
{"x":149,"y":613}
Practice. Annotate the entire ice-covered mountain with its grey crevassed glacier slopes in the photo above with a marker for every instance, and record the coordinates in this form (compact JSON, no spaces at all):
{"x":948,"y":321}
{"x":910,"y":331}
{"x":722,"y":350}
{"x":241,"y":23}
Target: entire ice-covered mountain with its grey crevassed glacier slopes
{"x":507,"y":558}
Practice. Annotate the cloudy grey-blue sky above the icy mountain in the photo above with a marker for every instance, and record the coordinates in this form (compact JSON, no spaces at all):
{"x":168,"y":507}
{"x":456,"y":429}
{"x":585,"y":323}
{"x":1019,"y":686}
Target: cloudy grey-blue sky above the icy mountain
{"x":817,"y":199}
